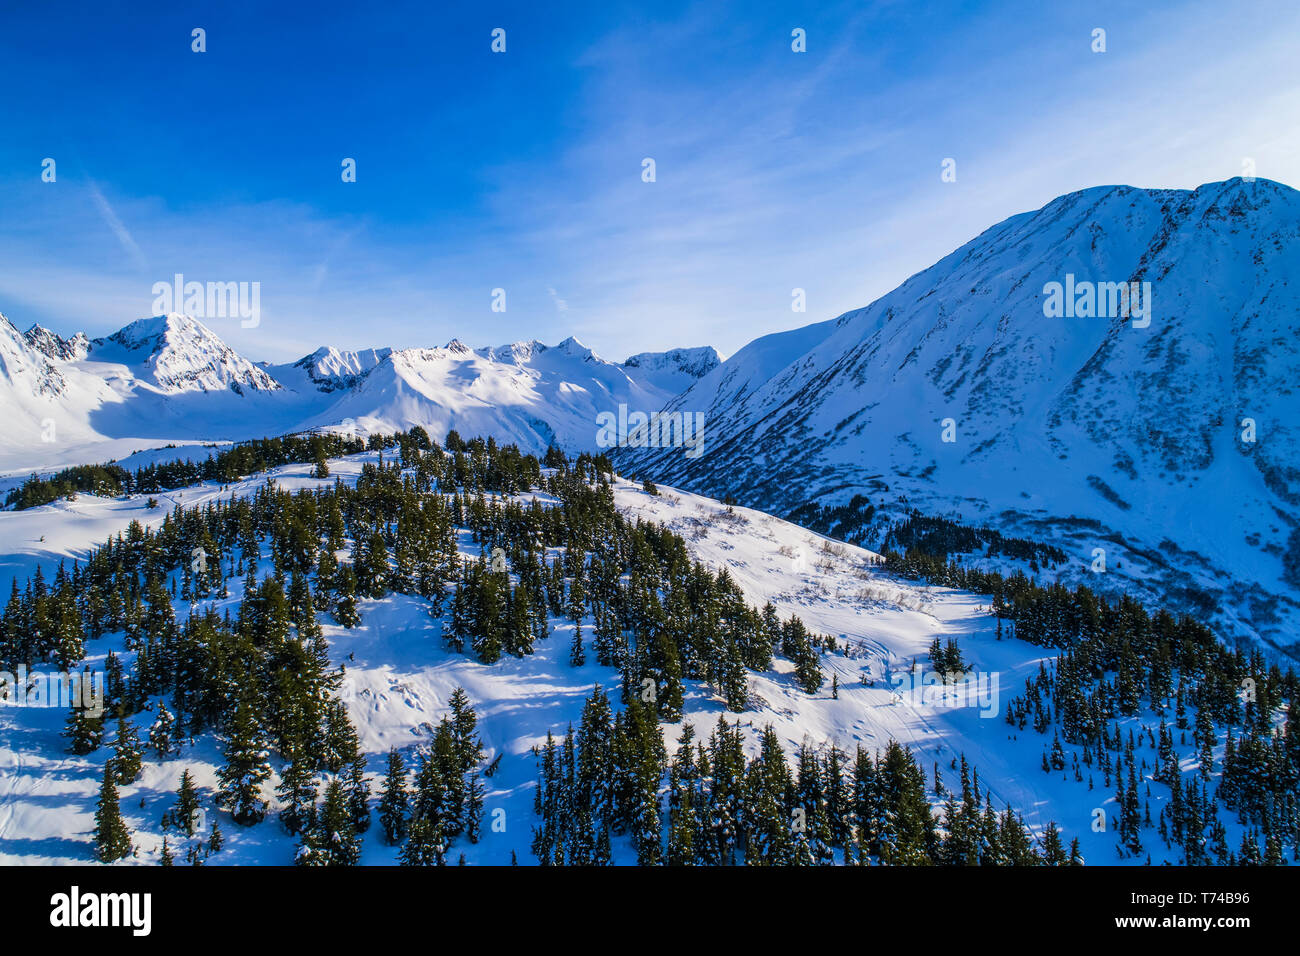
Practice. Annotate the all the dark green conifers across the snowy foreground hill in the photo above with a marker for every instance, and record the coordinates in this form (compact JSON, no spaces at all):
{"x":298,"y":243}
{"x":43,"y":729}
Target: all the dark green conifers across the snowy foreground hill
{"x":553,"y":548}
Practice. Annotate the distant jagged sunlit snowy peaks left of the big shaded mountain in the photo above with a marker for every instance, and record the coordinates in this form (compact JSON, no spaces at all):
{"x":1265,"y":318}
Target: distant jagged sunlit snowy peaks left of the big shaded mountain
{"x":172,"y":379}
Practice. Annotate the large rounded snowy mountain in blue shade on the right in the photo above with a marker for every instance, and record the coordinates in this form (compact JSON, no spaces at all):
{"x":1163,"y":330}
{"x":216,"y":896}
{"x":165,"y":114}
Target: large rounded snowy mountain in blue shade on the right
{"x":1171,"y":440}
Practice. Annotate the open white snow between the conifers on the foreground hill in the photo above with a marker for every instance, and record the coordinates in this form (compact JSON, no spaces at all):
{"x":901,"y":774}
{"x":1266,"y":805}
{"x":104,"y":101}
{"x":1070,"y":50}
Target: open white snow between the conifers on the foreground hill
{"x":400,"y":677}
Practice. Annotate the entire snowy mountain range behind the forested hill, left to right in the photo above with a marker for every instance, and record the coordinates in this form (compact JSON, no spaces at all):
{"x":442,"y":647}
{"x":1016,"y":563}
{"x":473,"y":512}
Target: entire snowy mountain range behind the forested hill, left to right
{"x":1165,"y":438}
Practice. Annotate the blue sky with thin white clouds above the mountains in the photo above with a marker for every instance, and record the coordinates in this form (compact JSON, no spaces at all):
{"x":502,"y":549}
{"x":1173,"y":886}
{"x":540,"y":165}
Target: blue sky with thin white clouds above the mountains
{"x":523,"y":170}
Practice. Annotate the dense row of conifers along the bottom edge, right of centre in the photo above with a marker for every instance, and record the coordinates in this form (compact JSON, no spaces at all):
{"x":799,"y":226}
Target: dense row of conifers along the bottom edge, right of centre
{"x":709,"y":806}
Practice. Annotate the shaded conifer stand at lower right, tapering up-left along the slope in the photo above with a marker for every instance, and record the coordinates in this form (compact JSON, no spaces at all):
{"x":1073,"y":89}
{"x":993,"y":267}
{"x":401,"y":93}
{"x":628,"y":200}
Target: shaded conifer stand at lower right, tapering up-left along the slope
{"x":1181,"y":690}
